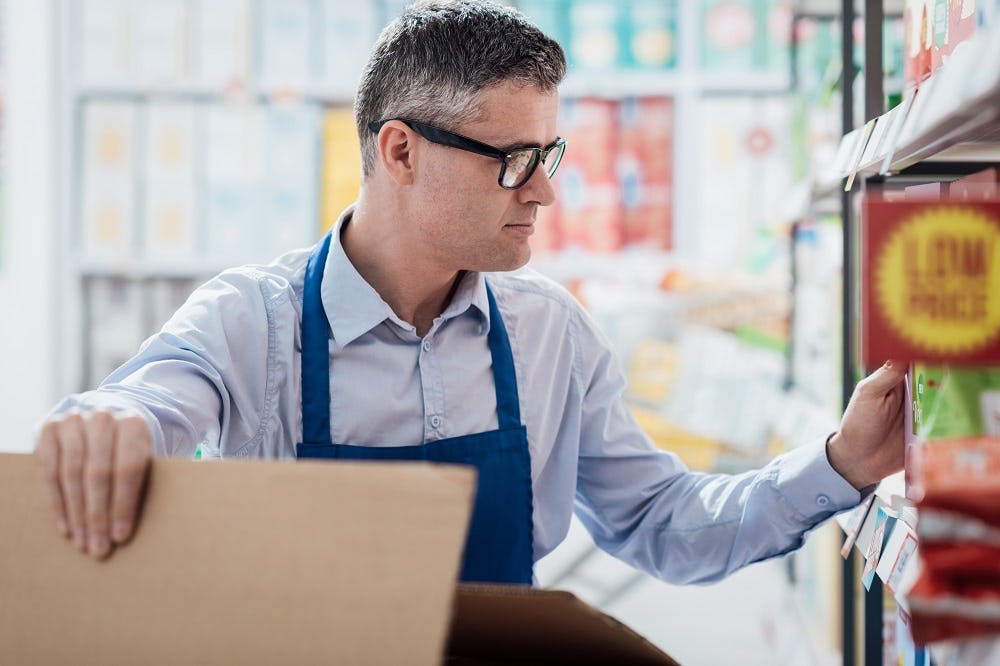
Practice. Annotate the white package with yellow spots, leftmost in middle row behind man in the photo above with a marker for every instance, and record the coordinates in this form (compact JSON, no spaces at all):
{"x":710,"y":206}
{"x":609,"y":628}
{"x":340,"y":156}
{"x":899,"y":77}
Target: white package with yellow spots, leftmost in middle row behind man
{"x":108,"y":175}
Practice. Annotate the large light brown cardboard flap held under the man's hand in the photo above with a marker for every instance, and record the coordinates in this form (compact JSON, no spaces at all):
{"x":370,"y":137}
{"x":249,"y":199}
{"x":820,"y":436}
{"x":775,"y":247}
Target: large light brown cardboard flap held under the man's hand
{"x":241,"y":563}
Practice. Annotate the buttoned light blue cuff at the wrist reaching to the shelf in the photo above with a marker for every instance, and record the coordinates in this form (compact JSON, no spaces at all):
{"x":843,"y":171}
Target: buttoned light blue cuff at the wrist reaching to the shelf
{"x":810,"y":484}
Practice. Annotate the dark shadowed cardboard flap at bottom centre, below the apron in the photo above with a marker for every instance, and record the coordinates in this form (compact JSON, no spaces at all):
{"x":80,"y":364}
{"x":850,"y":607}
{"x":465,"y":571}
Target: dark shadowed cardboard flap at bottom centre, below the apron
{"x":495,"y":624}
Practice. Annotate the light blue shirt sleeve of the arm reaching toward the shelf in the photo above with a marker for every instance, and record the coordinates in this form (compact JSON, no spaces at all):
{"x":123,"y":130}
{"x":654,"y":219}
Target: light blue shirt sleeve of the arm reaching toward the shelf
{"x":645,"y":507}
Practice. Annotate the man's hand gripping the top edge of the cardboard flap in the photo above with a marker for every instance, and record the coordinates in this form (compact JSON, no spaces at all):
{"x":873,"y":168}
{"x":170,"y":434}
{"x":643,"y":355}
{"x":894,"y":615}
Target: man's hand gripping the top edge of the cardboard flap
{"x":94,"y":468}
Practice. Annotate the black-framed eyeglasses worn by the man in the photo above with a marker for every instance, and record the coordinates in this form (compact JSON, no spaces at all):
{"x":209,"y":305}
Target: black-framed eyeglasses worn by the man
{"x":517,"y":165}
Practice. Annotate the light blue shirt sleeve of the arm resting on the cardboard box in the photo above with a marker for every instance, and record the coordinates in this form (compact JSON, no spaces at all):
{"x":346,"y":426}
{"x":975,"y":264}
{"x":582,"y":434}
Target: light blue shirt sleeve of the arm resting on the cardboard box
{"x":202,"y":379}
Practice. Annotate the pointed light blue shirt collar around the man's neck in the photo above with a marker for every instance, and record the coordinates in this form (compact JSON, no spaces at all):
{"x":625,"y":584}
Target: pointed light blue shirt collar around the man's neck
{"x":353,"y":307}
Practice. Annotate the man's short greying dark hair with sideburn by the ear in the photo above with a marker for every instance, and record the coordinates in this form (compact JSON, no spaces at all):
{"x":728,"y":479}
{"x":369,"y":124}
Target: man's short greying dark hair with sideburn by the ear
{"x":430,"y":63}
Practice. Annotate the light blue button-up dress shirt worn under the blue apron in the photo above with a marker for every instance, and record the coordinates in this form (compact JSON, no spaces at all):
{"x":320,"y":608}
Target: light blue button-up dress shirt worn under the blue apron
{"x":224,"y":374}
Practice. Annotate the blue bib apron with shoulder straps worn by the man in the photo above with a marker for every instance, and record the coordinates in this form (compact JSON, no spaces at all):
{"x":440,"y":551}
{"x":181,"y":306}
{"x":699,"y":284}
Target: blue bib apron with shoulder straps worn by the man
{"x":499,"y":544}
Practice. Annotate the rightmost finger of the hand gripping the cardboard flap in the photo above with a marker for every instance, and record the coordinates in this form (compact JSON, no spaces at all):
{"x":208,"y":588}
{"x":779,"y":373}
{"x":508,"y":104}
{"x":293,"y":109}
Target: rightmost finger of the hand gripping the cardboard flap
{"x":133,"y":452}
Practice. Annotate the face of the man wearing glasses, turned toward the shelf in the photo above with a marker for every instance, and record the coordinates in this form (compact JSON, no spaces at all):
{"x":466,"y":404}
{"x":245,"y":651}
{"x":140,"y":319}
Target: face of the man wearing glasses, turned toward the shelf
{"x":466,"y":220}
